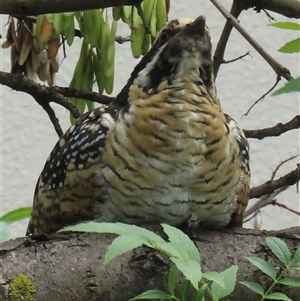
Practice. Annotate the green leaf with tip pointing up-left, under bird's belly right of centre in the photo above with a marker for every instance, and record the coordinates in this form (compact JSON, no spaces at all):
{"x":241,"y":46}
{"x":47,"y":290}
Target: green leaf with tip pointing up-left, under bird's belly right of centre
{"x":177,"y":236}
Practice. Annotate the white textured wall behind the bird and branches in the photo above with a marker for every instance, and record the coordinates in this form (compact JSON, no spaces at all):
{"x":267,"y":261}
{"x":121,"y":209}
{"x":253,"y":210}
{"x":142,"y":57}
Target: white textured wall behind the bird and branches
{"x":27,"y":136}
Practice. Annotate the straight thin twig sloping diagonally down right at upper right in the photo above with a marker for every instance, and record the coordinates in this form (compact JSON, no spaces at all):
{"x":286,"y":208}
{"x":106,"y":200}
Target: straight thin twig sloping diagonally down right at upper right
{"x":277,"y":67}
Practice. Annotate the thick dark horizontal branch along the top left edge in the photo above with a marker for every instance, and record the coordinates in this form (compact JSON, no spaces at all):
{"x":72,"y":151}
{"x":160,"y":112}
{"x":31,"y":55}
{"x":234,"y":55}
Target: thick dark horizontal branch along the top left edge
{"x":33,"y":7}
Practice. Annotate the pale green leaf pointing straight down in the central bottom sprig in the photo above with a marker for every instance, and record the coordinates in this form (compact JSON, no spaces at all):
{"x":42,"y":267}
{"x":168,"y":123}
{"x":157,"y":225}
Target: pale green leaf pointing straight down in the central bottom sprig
{"x":191,"y":270}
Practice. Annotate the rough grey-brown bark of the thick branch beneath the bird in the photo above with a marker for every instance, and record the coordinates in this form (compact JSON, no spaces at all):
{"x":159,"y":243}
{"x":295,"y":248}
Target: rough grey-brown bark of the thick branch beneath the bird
{"x":68,"y":267}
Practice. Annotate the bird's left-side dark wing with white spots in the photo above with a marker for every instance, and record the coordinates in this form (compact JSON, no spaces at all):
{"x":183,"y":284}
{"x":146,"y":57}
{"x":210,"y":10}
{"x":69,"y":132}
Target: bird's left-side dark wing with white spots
{"x":67,"y":187}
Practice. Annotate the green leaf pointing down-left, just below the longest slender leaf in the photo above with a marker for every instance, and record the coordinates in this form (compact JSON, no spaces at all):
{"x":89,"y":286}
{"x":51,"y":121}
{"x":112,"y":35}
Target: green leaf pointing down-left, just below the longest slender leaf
{"x":121,"y":245}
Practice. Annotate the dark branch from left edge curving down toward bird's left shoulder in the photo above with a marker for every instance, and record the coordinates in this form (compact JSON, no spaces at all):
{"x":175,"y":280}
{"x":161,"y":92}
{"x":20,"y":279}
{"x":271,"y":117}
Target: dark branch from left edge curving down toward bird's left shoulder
{"x":40,"y":93}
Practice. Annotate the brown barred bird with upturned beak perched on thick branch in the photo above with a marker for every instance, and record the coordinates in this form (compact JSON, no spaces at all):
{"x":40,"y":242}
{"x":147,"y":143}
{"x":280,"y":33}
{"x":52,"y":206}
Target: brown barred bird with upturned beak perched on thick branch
{"x":162,"y":152}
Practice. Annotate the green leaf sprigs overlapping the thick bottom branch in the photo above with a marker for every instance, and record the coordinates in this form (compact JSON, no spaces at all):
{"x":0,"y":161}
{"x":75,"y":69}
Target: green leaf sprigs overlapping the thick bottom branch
{"x":186,"y":258}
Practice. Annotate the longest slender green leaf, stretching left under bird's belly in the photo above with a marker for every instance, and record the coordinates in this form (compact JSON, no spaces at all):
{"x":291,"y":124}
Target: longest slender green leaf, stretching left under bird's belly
{"x":114,"y":228}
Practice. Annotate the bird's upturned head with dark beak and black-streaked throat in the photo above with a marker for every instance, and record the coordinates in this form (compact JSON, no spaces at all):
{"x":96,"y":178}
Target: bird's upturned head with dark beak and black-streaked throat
{"x":186,"y":56}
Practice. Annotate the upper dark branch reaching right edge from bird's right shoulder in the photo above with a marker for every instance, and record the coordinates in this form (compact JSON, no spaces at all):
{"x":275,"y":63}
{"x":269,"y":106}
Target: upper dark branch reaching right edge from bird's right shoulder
{"x":276,"y":130}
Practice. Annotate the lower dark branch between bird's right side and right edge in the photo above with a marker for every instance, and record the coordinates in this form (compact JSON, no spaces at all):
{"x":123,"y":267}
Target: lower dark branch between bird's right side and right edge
{"x":270,"y":186}
